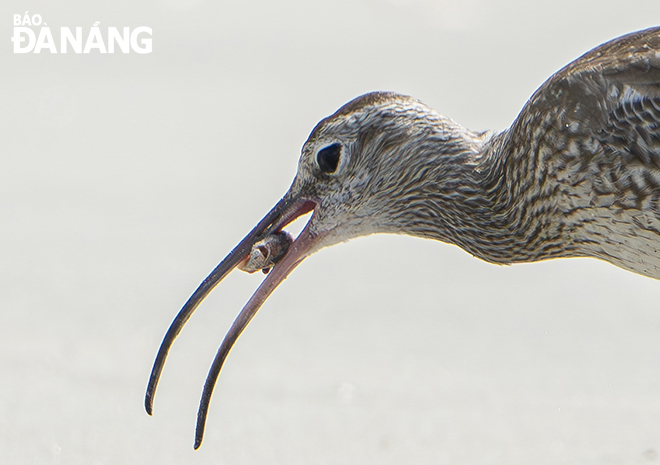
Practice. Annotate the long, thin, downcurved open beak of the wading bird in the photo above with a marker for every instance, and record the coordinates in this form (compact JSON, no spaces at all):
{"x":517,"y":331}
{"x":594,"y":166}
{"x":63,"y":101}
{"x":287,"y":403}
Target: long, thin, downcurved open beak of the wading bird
{"x":284,"y":212}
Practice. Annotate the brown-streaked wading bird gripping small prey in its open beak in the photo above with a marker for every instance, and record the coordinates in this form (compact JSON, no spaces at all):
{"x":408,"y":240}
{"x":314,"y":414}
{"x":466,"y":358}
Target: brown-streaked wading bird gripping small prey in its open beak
{"x":577,"y":174}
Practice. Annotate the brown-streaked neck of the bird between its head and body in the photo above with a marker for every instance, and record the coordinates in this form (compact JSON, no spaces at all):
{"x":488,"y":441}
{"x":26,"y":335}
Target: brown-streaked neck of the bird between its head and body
{"x":482,"y":198}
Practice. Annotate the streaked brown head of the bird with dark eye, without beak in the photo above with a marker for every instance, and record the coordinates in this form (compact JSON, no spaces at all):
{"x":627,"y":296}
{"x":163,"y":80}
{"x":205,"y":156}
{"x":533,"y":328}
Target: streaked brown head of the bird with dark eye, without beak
{"x":362,"y":166}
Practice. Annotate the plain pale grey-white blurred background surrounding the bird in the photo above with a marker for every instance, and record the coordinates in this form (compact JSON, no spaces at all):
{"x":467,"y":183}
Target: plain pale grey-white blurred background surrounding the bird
{"x":124,"y":179}
